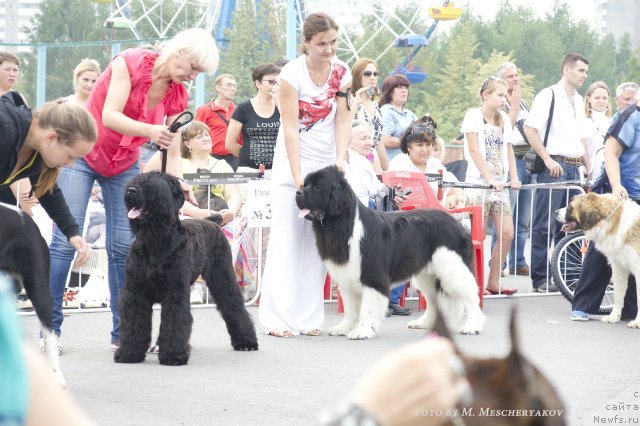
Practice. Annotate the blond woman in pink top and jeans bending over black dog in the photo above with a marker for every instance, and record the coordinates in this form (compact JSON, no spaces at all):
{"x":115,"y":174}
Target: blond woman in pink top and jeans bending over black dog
{"x":130,"y":101}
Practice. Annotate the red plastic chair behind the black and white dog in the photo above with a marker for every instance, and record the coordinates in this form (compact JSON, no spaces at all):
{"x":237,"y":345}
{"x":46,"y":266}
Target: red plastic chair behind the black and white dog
{"x":422,"y":196}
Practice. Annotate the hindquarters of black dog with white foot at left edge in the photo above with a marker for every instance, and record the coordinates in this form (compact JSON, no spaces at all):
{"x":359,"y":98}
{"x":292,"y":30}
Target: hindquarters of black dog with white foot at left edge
{"x":24,"y":255}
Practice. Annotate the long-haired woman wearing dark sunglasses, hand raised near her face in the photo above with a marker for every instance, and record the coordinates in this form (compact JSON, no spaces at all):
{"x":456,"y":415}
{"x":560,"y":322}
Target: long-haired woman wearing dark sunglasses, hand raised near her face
{"x":364,"y":87}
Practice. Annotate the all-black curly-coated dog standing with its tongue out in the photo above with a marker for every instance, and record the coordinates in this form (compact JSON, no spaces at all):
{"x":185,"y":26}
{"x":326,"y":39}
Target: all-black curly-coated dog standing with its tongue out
{"x":166,"y":257}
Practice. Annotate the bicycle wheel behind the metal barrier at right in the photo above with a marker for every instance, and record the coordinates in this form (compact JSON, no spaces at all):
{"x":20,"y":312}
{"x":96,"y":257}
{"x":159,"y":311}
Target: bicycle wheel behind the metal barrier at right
{"x":566,"y":265}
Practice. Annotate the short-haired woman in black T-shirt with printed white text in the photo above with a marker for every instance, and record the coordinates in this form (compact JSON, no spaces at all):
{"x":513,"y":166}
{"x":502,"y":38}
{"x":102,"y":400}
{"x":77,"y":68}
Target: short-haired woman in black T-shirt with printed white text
{"x":258,"y":119}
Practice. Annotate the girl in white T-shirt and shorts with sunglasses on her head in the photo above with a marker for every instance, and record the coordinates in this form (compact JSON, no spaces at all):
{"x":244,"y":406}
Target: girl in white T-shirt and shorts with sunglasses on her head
{"x":488,"y":148}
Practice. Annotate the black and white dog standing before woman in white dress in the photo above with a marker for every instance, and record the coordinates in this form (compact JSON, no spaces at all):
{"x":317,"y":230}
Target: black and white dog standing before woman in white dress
{"x":367,"y":250}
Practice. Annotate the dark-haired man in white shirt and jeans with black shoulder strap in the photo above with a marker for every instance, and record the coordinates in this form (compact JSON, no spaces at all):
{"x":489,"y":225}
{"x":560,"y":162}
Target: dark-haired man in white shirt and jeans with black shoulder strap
{"x":562,"y":156}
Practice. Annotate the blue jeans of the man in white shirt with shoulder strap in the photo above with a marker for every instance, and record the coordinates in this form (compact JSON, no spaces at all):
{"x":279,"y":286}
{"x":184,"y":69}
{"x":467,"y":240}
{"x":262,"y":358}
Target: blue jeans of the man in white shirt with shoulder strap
{"x":545,"y":227}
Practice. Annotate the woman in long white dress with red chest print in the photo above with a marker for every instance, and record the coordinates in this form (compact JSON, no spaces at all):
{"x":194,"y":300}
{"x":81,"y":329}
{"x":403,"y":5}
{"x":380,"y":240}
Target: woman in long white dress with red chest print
{"x":314,"y":134}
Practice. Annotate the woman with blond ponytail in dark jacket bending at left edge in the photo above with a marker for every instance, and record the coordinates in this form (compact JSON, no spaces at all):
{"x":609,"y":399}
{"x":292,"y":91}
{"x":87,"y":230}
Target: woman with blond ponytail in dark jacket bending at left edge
{"x":35,"y":145}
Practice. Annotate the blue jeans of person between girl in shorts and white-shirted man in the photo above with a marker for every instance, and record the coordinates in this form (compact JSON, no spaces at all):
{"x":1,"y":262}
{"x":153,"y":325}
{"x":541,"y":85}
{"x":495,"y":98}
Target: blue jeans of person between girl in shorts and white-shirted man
{"x":521,"y":202}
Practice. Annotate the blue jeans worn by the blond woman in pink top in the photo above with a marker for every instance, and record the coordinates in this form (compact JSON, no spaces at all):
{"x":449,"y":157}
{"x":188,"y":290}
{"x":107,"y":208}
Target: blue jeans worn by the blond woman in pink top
{"x":76,"y":183}
